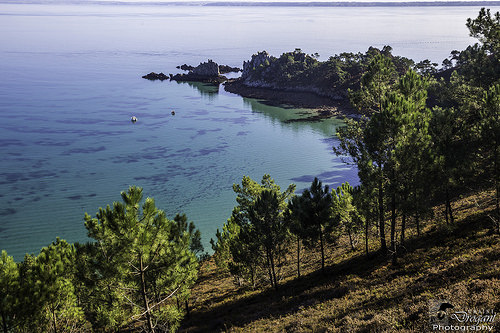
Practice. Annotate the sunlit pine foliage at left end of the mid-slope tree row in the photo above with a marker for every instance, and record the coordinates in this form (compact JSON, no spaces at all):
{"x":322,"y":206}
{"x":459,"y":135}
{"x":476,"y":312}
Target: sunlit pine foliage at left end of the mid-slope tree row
{"x":237,"y":249}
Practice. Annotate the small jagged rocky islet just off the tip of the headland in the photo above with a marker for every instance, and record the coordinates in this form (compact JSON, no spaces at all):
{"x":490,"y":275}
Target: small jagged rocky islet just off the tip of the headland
{"x":206,"y":72}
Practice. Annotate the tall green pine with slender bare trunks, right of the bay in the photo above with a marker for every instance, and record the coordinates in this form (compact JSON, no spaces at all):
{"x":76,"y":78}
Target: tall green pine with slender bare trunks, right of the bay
{"x":390,"y":147}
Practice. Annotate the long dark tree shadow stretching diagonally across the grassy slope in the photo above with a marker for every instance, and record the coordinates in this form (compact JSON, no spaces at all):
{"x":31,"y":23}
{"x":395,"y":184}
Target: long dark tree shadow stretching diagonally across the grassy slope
{"x":441,"y":244}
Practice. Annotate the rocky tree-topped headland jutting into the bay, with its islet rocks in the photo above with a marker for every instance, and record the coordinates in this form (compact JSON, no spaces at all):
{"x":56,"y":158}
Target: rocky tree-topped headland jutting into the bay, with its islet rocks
{"x":293,"y":79}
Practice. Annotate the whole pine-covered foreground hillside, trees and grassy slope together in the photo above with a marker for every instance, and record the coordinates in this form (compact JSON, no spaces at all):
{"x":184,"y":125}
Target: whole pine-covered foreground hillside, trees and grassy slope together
{"x":423,"y":225}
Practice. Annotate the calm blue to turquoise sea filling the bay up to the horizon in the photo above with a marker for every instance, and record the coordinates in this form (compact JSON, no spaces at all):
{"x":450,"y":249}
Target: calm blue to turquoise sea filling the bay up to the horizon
{"x":70,"y":81}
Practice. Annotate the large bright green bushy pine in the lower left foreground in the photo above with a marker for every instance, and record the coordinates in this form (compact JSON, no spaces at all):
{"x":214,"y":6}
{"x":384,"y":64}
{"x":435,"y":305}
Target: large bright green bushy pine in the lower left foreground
{"x":143,"y":260}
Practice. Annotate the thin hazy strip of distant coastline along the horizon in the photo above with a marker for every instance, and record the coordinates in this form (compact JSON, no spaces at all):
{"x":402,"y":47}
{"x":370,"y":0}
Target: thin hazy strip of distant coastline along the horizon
{"x":265,"y":4}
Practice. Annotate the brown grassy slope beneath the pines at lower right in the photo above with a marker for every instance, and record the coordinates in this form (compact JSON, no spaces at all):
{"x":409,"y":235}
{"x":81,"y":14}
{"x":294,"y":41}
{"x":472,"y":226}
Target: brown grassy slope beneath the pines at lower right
{"x":460,"y":263}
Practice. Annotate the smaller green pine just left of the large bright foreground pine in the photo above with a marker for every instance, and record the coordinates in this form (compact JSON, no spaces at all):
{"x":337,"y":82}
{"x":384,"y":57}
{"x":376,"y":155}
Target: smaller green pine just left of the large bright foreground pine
{"x":47,"y":297}
